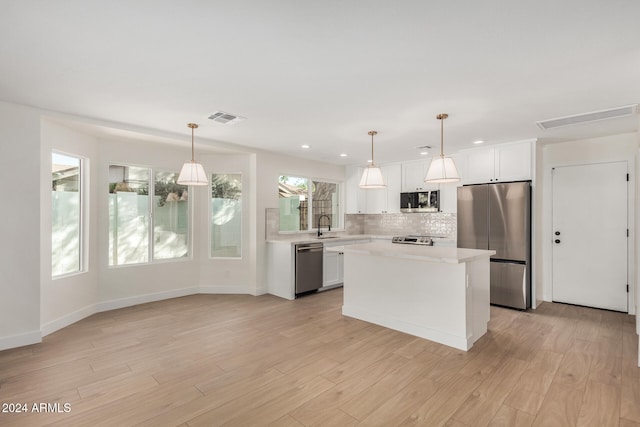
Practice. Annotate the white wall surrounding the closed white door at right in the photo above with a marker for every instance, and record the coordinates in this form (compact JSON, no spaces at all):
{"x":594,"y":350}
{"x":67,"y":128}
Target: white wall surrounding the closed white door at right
{"x":621,"y":147}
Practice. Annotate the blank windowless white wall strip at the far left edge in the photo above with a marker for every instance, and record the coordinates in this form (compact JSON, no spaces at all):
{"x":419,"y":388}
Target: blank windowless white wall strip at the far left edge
{"x":19,"y":226}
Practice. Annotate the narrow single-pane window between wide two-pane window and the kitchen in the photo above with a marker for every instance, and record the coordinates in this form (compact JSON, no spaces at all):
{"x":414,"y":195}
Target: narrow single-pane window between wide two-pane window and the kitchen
{"x":226,"y":215}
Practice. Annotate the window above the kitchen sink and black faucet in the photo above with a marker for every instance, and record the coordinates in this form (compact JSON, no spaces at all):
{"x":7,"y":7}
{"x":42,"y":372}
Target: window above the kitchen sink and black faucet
{"x":295,"y":198}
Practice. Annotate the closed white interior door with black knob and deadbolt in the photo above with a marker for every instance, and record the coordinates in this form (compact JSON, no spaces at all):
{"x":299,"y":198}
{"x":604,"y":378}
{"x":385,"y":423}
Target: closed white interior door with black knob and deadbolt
{"x":590,"y":235}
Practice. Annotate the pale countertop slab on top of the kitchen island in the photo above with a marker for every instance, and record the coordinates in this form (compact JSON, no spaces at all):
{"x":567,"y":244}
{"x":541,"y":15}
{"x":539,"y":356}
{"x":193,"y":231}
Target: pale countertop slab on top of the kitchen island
{"x":441,"y":254}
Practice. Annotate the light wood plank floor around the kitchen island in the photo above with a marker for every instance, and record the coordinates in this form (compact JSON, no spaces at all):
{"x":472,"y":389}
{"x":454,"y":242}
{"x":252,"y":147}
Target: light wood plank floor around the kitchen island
{"x":208,"y":360}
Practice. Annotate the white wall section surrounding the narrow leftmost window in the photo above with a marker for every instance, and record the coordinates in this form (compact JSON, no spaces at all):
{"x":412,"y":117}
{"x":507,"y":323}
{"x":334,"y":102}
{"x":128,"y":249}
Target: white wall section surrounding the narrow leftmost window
{"x":68,"y":299}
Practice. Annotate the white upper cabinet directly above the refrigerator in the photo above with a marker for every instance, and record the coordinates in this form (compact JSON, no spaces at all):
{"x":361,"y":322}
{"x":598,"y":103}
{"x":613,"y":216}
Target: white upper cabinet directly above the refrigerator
{"x":505,"y":162}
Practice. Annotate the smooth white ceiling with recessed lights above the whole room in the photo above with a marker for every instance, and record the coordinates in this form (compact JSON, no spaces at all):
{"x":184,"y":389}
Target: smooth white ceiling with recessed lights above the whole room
{"x":325,"y":73}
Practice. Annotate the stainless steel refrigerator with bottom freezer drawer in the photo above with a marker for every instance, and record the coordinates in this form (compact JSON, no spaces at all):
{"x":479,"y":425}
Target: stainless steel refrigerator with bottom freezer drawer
{"x":498,"y":217}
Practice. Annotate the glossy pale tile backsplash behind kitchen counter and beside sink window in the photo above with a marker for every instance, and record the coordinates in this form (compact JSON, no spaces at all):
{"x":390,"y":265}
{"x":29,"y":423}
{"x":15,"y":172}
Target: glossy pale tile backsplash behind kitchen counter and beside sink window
{"x":430,"y":224}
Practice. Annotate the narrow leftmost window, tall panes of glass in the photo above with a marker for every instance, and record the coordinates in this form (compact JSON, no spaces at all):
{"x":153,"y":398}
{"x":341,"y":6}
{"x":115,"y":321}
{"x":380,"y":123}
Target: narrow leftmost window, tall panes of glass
{"x":66,"y":214}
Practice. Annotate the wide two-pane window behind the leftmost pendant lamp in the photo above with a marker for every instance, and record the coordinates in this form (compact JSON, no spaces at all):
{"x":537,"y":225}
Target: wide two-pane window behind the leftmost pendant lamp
{"x":131,"y":238}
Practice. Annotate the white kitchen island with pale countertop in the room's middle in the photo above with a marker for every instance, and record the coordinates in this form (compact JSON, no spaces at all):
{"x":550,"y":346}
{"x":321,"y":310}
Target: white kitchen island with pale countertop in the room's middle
{"x":437,"y":293}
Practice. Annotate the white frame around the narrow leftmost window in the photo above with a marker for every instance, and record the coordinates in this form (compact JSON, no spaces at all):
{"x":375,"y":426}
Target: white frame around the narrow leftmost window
{"x":83,"y":258}
